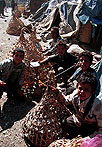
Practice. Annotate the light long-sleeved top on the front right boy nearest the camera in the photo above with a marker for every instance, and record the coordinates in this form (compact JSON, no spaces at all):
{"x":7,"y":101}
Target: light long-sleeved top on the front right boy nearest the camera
{"x":94,"y":114}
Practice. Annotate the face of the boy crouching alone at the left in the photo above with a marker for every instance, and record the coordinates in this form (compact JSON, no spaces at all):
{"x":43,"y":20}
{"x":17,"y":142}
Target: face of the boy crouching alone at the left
{"x":18,"y":57}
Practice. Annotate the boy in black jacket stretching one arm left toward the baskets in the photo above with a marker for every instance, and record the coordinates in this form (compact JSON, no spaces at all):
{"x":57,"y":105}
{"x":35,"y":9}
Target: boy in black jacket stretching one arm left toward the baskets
{"x":62,"y":60}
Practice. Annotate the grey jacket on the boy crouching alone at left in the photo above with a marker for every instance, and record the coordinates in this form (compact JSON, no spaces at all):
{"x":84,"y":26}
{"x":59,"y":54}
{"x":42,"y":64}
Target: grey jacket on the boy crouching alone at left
{"x":11,"y":72}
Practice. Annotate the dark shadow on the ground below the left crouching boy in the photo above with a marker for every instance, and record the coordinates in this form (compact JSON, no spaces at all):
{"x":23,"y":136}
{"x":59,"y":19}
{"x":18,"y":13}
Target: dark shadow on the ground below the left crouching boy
{"x":12,"y":112}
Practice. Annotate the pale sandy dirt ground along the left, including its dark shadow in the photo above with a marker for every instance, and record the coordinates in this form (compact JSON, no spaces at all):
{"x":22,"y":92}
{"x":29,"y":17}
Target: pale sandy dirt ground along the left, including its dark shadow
{"x":12,"y":114}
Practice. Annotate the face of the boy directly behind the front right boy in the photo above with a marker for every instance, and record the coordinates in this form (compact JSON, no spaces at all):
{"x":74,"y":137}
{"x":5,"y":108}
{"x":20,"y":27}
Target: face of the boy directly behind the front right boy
{"x":84,"y":63}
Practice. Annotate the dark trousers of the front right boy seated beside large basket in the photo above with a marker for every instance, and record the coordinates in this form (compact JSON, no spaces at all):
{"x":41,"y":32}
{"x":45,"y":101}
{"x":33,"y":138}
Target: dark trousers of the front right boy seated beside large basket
{"x":70,"y":130}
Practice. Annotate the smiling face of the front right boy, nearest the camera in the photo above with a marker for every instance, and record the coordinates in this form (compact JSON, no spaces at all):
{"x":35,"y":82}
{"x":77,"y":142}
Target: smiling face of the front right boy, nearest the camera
{"x":84,"y":91}
